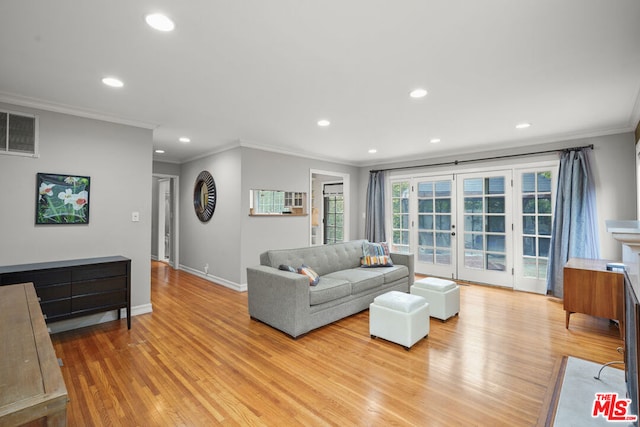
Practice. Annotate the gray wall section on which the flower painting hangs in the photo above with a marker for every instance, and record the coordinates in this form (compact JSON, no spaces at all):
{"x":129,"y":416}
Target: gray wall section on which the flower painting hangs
{"x":118,"y":160}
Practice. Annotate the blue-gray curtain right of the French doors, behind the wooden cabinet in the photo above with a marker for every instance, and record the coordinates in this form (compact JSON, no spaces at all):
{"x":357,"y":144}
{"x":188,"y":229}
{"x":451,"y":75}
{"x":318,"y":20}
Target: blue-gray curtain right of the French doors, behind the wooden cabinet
{"x":575,"y":222}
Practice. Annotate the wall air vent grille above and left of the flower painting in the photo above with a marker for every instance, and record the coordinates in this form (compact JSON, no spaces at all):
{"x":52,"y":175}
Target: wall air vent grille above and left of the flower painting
{"x":18,"y":134}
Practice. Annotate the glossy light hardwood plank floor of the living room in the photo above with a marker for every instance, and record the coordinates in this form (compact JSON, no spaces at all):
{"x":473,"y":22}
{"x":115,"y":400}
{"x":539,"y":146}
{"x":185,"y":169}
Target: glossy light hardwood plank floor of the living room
{"x":199,"y":360}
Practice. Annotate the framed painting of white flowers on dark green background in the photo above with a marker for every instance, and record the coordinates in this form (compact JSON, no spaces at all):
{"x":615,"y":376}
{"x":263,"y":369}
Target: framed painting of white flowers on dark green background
{"x":62,"y":199}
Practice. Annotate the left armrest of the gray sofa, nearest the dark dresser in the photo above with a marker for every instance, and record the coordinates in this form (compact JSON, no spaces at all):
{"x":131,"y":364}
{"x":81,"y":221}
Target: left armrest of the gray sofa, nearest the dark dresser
{"x":278,"y":298}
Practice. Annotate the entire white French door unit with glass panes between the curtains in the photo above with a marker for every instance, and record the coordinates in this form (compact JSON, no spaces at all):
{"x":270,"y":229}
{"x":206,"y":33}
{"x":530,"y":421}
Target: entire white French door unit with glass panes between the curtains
{"x":491,"y":227}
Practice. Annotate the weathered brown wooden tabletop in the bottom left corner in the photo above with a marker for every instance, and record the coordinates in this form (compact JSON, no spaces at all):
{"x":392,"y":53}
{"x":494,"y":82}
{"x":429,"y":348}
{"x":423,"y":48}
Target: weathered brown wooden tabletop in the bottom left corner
{"x":32,"y":390}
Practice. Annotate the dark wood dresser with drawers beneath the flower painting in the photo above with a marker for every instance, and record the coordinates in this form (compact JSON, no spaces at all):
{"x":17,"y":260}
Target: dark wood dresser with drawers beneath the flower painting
{"x":75,"y":288}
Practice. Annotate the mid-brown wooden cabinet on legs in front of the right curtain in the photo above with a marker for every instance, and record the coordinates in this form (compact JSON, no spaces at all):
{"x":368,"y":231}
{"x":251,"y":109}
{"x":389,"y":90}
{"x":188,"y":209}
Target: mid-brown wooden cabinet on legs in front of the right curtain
{"x":589,"y":288}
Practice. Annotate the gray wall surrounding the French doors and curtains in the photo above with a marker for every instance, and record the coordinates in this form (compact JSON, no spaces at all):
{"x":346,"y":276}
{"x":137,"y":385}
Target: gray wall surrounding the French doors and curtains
{"x":614,"y":170}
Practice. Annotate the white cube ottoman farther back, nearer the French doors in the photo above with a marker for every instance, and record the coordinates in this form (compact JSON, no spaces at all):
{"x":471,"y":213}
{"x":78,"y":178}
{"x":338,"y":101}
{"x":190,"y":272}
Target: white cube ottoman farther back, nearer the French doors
{"x":442,"y":295}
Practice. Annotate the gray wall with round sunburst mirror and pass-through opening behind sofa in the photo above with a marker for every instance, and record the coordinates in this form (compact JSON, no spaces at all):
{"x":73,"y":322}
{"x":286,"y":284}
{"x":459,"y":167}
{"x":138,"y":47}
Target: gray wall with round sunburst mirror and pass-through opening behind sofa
{"x":232,"y":240}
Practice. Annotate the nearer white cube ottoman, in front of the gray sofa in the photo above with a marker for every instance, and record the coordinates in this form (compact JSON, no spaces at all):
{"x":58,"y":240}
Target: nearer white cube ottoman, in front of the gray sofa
{"x":399,"y":317}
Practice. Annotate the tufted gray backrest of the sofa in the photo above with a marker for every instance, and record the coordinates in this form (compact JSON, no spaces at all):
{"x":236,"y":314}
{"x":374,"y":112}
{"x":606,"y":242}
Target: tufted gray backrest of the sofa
{"x":322,"y":259}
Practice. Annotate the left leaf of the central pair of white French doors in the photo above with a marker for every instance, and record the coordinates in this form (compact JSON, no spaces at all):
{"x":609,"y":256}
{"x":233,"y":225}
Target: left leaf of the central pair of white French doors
{"x":434,"y":229}
